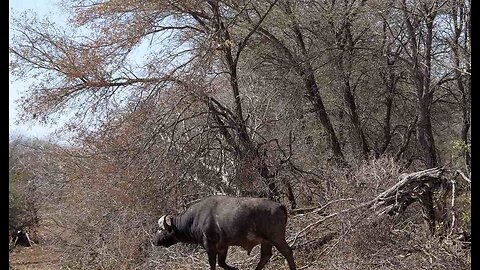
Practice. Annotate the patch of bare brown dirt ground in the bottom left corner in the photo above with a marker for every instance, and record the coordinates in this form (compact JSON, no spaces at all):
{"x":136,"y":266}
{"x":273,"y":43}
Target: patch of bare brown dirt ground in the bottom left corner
{"x":36,"y":257}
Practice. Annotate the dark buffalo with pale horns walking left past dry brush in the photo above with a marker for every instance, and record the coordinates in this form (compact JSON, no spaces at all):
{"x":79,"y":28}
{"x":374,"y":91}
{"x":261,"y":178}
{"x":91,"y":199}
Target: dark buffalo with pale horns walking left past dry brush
{"x":219,"y":222}
